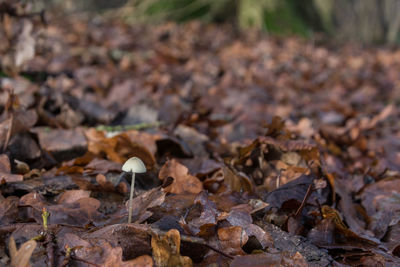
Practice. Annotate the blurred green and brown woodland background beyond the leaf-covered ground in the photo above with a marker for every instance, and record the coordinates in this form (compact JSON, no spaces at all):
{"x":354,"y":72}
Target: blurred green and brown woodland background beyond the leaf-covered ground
{"x":365,"y":21}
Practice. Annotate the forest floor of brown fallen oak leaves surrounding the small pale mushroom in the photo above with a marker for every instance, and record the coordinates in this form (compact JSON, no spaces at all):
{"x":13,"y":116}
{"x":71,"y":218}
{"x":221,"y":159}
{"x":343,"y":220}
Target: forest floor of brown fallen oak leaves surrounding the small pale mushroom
{"x":260,"y":151}
